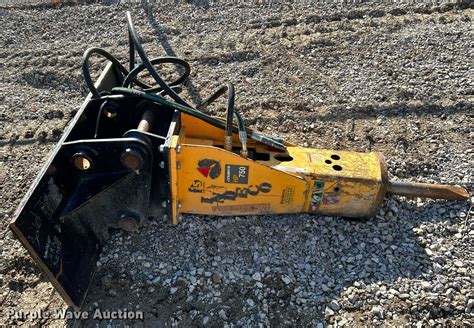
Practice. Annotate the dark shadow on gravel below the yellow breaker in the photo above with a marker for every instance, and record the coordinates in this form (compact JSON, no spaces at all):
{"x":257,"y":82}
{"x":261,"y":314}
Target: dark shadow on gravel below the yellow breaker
{"x":306,"y":262}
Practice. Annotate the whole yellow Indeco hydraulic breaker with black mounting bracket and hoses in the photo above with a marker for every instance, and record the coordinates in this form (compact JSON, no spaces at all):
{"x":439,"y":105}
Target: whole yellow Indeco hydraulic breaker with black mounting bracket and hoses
{"x":136,"y":151}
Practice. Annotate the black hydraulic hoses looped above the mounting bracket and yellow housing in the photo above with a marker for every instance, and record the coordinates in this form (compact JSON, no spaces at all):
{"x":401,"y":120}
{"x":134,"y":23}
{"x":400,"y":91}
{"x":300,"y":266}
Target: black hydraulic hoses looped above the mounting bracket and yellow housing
{"x":130,"y":77}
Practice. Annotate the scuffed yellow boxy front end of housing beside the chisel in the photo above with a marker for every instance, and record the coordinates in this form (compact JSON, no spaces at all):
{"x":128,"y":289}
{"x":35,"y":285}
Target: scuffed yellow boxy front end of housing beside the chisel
{"x":354,"y":183}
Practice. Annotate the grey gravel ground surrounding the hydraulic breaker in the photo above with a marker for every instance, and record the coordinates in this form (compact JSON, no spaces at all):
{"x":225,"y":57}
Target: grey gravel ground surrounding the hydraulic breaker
{"x":395,"y":78}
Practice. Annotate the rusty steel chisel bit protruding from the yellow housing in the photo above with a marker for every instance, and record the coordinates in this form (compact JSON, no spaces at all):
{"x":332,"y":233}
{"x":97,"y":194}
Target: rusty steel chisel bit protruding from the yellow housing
{"x":427,"y":190}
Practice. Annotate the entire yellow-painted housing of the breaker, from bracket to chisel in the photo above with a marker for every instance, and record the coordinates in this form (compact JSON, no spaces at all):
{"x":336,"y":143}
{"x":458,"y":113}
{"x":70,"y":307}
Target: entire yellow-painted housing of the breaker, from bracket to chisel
{"x":341,"y":183}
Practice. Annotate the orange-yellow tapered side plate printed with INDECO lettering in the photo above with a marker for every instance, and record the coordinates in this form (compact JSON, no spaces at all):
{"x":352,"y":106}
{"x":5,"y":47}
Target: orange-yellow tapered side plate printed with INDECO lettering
{"x":266,"y":190}
